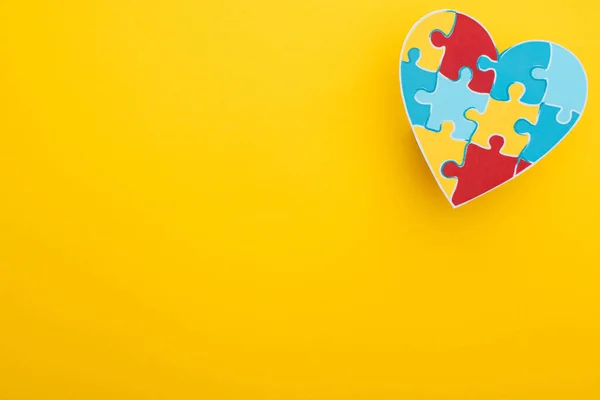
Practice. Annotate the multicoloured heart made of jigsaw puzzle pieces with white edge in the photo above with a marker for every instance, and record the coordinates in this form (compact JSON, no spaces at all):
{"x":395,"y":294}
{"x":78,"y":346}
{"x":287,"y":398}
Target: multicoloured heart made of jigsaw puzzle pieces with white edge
{"x":481,"y":117}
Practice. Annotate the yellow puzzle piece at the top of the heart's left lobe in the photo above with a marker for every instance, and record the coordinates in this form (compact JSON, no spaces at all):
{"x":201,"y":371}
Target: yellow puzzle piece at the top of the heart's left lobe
{"x":420,"y":38}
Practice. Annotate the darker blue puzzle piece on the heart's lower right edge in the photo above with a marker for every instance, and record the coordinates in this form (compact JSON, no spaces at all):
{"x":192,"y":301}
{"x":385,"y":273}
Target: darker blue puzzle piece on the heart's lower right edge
{"x":544,"y":135}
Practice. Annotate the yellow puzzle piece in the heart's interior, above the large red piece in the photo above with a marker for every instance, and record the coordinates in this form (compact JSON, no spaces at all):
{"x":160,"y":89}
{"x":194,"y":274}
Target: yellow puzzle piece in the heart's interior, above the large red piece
{"x":500,"y":118}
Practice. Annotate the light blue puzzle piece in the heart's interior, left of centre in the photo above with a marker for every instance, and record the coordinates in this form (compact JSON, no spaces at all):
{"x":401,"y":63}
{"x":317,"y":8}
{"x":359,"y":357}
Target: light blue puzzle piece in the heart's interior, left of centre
{"x":449,"y":102}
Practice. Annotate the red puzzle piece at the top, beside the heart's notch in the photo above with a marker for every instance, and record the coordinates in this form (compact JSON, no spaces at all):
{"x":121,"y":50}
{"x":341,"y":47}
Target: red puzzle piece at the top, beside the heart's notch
{"x":467,"y":42}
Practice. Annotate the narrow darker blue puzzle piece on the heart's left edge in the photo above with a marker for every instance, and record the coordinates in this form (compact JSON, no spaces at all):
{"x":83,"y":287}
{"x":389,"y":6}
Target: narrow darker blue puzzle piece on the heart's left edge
{"x":413,"y":79}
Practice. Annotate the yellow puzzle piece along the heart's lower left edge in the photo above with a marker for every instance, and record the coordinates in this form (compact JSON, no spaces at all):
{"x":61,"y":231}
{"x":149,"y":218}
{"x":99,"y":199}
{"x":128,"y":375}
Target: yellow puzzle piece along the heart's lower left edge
{"x":438,"y":148}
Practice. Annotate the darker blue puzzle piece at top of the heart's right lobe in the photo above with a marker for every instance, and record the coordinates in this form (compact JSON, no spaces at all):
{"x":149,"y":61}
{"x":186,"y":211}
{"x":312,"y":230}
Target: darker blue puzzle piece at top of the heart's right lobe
{"x":515,"y":65}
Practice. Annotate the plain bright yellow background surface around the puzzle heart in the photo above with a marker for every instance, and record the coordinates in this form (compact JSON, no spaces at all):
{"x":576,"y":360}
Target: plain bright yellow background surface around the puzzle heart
{"x":223,"y":200}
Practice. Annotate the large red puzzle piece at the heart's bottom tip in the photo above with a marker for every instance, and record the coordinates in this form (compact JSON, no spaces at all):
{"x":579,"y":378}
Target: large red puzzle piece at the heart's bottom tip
{"x":482,"y":170}
